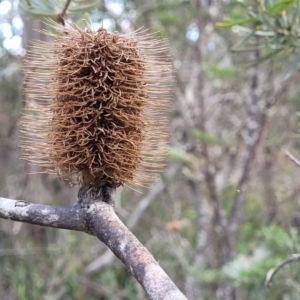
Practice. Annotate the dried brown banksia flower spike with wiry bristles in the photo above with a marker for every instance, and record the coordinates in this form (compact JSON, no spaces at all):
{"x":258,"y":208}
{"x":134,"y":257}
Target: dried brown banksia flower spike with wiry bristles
{"x":97,"y":105}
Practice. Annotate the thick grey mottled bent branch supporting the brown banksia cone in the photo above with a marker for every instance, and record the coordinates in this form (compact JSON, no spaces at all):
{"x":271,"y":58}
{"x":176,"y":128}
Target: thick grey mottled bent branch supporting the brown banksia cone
{"x":99,"y":219}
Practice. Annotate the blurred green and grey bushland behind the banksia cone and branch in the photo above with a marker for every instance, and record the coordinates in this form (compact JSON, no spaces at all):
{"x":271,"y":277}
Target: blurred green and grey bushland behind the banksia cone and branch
{"x":226,"y":209}
